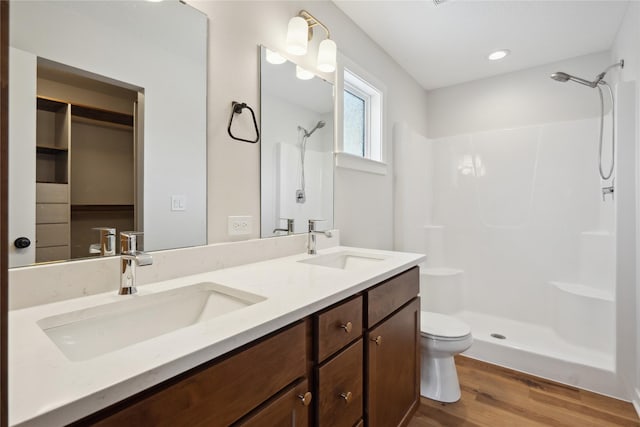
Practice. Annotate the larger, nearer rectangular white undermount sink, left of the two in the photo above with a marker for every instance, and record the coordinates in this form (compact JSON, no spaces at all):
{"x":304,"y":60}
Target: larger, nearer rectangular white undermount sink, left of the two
{"x":85,"y":334}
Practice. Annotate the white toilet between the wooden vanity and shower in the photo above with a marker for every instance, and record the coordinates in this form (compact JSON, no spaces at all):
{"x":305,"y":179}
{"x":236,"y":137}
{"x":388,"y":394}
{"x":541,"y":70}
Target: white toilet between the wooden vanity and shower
{"x":442,"y":337}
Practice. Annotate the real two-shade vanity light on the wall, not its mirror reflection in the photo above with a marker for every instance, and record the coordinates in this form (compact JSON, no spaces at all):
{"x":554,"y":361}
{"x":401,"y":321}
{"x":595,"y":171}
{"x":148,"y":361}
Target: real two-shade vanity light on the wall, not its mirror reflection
{"x":300,"y":31}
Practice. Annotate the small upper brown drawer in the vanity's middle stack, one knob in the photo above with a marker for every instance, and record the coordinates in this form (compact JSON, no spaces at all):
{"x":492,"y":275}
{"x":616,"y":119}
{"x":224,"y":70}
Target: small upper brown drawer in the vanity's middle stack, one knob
{"x":338,"y":327}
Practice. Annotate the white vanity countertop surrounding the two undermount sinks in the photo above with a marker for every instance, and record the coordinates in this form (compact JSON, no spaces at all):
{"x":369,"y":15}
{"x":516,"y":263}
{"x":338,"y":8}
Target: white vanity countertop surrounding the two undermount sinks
{"x":47,"y":389}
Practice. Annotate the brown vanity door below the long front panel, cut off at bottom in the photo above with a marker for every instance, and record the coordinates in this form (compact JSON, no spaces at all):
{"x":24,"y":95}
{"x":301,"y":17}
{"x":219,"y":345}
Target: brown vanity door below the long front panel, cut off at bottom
{"x":290,"y":408}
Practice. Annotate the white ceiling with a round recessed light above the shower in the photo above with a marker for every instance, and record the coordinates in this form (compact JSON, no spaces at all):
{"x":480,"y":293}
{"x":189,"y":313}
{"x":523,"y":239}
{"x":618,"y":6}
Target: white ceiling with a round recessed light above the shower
{"x":448,"y":44}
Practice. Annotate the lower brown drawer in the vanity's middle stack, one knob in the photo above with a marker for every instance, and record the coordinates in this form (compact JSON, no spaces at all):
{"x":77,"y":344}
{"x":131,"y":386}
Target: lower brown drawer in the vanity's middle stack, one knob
{"x":340,"y":399}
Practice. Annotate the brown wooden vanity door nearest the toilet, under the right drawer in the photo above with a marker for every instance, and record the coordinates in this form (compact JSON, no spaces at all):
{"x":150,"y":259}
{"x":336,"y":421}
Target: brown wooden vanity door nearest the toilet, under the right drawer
{"x":393,"y":368}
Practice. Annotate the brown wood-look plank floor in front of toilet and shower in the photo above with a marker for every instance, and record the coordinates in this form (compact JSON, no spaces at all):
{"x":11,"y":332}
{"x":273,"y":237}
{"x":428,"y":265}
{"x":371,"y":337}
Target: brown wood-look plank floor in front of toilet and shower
{"x":493,"y":396}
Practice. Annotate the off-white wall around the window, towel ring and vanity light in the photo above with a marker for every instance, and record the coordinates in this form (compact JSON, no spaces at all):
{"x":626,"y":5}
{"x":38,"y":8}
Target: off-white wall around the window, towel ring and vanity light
{"x":363,"y":208}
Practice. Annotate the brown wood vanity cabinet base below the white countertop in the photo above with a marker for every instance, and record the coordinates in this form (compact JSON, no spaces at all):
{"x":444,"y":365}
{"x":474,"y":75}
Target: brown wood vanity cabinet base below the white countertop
{"x":326,"y":370}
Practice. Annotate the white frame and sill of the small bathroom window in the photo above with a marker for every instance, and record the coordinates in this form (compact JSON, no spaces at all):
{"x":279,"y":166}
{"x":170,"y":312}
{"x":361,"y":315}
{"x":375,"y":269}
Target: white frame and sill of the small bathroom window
{"x":354,"y":79}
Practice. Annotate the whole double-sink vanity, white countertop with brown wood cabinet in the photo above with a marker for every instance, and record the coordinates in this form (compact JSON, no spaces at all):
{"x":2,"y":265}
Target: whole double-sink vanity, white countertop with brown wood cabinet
{"x":333,"y":340}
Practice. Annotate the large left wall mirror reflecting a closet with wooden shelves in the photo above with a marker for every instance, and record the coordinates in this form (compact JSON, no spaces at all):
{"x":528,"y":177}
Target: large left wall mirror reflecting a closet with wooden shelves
{"x":107,"y":117}
